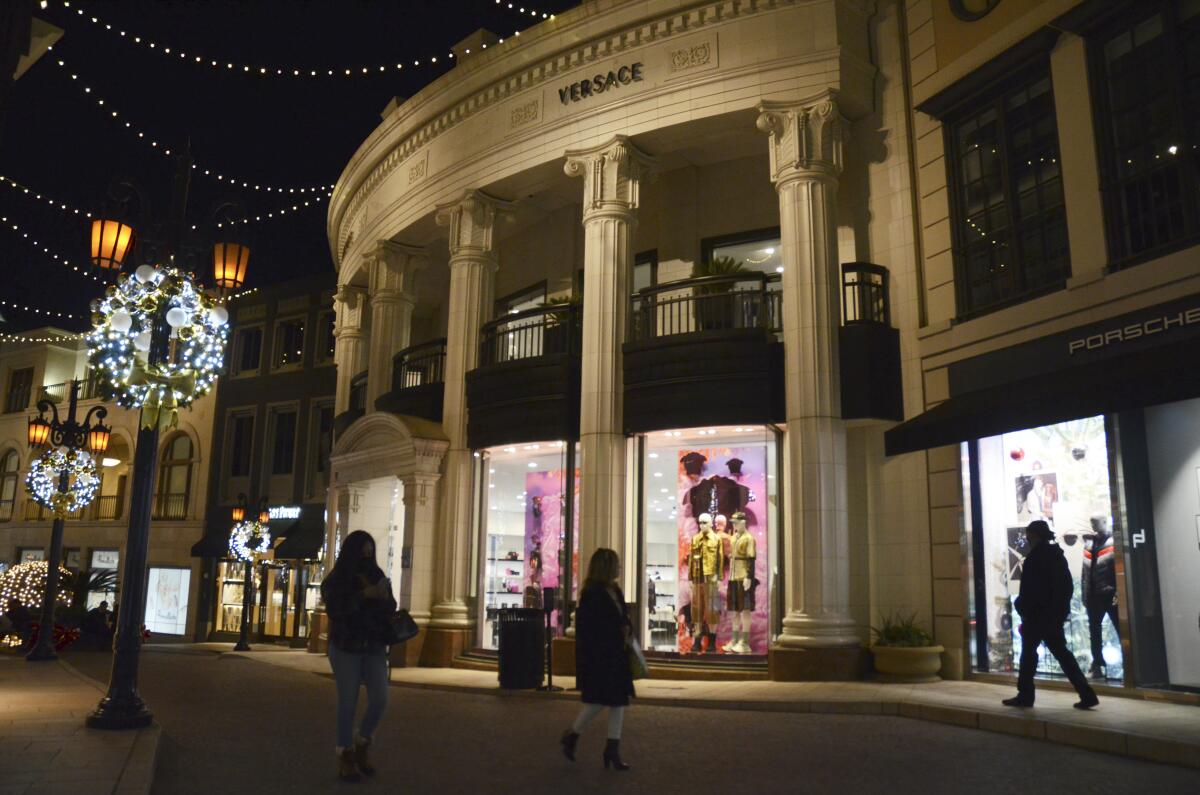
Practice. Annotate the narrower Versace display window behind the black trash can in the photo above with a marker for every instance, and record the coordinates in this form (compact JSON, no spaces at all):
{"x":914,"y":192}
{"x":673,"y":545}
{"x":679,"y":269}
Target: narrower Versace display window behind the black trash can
{"x":526,"y":531}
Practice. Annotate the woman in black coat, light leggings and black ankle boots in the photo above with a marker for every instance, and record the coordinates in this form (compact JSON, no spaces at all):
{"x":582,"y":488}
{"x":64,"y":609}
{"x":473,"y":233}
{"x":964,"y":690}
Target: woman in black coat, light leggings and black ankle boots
{"x":603,"y":635}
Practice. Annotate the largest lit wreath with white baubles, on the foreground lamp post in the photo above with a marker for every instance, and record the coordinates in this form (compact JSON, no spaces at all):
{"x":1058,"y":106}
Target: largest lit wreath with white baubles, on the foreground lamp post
{"x":119,"y":344}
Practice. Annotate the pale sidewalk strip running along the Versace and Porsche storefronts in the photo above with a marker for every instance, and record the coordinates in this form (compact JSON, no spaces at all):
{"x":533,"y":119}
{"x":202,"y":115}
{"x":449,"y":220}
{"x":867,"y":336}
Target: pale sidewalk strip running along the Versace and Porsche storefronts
{"x":1150,"y":731}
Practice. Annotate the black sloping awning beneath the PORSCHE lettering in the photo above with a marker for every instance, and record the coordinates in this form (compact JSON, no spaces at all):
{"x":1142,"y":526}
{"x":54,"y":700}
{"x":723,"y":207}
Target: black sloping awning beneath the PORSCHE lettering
{"x":1160,"y":375}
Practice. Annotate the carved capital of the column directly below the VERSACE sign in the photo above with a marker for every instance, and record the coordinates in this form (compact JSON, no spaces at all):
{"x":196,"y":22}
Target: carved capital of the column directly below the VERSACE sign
{"x":613,"y":176}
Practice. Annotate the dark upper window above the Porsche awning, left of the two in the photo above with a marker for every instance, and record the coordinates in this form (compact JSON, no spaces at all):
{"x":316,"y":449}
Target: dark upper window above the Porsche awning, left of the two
{"x":1009,"y":218}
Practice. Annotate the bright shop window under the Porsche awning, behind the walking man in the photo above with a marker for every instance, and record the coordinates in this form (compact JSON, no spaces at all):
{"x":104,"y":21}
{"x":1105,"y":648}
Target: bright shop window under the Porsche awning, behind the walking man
{"x":1059,"y":474}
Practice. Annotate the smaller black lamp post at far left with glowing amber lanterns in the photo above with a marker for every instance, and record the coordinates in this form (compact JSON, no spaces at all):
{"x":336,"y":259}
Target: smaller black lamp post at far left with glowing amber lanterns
{"x":74,"y":437}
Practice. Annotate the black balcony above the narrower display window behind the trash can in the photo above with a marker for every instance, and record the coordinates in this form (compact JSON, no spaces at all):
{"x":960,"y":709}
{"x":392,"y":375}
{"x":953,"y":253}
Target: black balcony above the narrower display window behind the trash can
{"x":527,"y":384}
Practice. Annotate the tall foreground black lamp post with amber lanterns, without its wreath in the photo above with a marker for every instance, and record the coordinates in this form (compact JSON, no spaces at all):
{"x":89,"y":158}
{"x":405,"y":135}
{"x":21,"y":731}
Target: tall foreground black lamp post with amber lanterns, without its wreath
{"x":112,"y":240}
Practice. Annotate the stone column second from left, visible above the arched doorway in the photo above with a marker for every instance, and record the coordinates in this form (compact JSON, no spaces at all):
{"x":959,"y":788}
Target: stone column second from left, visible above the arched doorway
{"x":394,"y":270}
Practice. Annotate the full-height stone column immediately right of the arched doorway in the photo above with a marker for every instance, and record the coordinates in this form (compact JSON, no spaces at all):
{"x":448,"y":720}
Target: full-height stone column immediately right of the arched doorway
{"x":473,"y":264}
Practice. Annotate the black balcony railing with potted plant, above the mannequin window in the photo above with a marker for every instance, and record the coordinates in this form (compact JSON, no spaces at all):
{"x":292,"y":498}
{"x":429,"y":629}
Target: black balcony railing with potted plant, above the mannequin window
{"x":725,"y":303}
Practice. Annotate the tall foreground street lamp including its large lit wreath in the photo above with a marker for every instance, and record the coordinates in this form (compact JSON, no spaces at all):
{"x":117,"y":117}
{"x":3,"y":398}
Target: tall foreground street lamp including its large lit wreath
{"x":158,"y":344}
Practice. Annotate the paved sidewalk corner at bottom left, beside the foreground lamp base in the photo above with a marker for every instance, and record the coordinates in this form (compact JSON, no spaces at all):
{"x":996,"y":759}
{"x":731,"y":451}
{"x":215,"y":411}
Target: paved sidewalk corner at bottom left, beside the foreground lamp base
{"x":45,"y":746}
